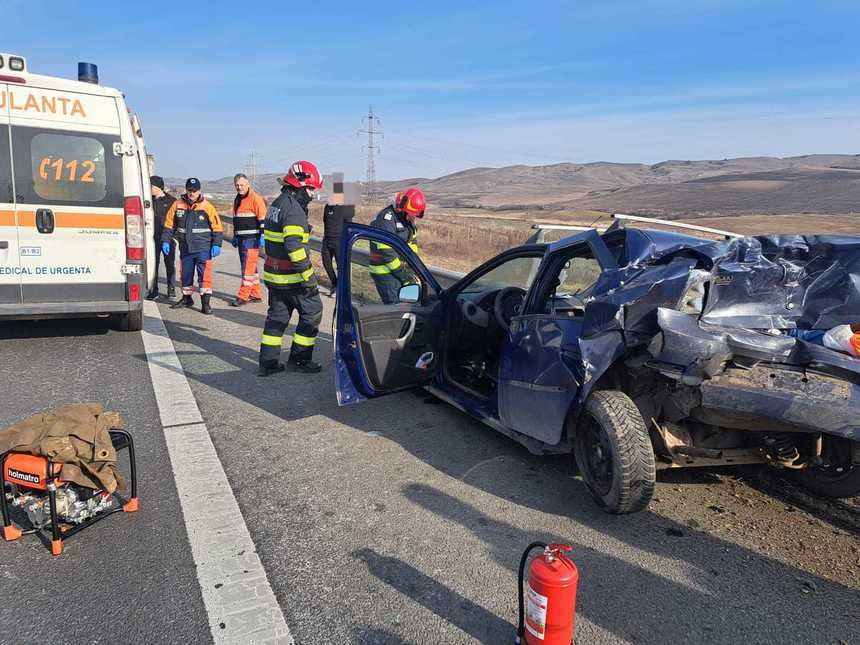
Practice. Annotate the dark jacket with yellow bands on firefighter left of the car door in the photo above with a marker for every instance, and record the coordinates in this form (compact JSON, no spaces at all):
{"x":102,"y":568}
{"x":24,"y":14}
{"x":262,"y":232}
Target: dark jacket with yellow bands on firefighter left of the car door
{"x":287,"y":233}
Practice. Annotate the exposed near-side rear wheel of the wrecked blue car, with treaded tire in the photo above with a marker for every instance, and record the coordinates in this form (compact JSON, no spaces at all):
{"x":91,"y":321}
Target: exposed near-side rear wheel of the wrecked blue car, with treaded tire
{"x":614,"y":453}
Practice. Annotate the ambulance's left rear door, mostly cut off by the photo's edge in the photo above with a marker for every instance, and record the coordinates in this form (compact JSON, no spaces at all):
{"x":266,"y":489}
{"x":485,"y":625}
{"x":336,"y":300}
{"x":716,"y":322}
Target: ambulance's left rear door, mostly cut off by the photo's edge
{"x":10,"y":266}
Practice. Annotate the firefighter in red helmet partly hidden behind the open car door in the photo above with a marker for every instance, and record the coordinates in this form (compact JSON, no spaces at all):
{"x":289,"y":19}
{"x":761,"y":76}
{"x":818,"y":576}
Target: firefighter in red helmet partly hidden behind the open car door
{"x":400,"y":218}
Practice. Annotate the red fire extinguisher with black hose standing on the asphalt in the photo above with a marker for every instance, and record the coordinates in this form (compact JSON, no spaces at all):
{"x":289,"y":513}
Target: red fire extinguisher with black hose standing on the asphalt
{"x":550,"y":597}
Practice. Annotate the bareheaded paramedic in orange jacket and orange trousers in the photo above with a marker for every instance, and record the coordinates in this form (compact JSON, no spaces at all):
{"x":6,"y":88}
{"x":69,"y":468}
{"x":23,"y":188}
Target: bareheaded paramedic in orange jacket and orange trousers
{"x":249,"y":214}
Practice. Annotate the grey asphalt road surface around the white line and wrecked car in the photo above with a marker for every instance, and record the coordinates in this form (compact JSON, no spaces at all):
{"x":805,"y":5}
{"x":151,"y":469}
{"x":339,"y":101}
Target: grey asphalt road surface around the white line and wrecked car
{"x":399,"y":520}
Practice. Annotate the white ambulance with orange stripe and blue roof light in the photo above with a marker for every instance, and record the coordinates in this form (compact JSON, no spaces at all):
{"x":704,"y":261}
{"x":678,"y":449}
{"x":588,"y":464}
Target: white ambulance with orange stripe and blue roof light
{"x":76,"y":216}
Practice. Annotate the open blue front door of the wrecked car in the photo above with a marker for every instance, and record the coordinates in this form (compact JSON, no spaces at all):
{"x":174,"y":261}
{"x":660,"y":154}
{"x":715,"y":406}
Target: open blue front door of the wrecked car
{"x":388,"y":318}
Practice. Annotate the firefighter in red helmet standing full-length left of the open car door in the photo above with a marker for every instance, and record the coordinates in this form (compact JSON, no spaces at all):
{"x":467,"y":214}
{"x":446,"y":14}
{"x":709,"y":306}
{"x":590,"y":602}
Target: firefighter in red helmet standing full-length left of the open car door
{"x":288,"y":274}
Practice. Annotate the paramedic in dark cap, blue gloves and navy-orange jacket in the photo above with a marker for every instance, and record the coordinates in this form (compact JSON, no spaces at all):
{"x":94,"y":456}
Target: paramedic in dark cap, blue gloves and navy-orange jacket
{"x":194,"y":223}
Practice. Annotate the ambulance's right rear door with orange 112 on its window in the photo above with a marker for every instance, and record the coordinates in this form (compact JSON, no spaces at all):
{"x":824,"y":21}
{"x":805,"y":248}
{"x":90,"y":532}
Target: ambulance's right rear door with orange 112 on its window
{"x":67,"y":162}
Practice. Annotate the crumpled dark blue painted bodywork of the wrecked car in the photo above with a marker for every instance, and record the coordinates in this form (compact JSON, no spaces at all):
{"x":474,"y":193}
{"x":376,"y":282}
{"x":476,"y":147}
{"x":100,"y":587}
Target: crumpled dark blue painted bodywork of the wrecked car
{"x":622,"y":313}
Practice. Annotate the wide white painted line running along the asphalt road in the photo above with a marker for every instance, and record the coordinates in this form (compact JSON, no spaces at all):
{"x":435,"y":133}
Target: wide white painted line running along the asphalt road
{"x":223,"y":551}
